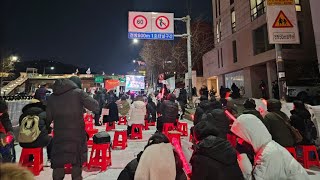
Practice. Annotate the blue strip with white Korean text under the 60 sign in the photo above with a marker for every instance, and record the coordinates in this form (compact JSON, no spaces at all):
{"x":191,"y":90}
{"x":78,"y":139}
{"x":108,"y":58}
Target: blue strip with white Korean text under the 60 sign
{"x":158,"y":36}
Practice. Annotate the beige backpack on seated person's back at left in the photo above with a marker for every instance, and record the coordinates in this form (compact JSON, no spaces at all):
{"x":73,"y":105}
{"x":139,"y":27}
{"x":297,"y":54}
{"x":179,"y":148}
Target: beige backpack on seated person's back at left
{"x":29,"y":129}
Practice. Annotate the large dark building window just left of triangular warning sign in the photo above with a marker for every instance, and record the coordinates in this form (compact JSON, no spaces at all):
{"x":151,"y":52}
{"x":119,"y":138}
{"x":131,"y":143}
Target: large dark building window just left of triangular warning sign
{"x":261,"y":41}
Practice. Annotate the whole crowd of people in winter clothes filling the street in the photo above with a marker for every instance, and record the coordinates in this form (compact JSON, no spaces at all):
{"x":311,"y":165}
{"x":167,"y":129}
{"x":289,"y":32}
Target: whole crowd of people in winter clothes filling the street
{"x":258,"y":151}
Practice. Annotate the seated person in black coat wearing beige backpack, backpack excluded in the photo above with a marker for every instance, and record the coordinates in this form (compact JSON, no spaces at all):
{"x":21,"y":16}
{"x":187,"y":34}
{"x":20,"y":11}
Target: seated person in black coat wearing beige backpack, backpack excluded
{"x":36,"y":108}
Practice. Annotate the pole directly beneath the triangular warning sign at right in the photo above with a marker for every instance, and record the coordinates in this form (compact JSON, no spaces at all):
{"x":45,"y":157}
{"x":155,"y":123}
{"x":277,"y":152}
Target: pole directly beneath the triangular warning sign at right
{"x":281,"y":72}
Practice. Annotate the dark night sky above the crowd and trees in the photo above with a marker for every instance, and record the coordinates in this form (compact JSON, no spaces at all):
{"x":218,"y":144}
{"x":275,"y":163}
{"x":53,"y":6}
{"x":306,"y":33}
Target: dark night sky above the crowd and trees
{"x":88,"y":33}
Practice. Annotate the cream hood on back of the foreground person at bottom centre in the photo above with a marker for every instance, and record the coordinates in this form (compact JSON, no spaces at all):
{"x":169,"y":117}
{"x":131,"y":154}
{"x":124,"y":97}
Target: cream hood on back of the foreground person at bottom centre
{"x":157,"y":163}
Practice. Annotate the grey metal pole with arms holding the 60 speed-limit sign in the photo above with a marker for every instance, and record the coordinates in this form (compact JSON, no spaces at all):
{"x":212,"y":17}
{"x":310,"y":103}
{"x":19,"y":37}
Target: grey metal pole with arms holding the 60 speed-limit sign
{"x":187,"y":20}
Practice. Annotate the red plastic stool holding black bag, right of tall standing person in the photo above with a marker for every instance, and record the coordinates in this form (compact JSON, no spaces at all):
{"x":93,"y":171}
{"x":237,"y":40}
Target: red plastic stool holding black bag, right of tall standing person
{"x":100,"y":156}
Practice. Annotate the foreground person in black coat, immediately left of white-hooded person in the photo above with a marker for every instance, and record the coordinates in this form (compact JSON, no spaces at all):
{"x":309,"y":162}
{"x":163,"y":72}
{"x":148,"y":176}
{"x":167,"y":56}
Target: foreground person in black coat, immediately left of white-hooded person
{"x":213,"y":157}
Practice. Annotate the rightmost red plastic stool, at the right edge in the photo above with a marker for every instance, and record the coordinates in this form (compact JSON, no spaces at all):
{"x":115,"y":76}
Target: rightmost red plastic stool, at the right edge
{"x":305,"y":159}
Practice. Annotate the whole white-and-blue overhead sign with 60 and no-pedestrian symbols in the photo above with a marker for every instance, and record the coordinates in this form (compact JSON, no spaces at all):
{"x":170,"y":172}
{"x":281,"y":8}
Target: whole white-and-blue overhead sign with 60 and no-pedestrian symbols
{"x":150,"y":25}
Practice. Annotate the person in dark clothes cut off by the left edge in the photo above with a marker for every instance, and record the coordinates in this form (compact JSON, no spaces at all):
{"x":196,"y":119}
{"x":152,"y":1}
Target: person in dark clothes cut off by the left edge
{"x":7,"y":129}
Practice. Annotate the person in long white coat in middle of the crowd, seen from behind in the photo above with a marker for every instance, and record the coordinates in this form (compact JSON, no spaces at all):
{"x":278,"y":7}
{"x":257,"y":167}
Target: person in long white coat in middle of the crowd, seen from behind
{"x":137,"y":113}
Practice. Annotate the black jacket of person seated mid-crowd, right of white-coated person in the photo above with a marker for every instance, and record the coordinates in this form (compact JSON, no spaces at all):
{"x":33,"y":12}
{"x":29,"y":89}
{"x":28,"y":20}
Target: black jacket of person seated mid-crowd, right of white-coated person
{"x":169,"y":111}
